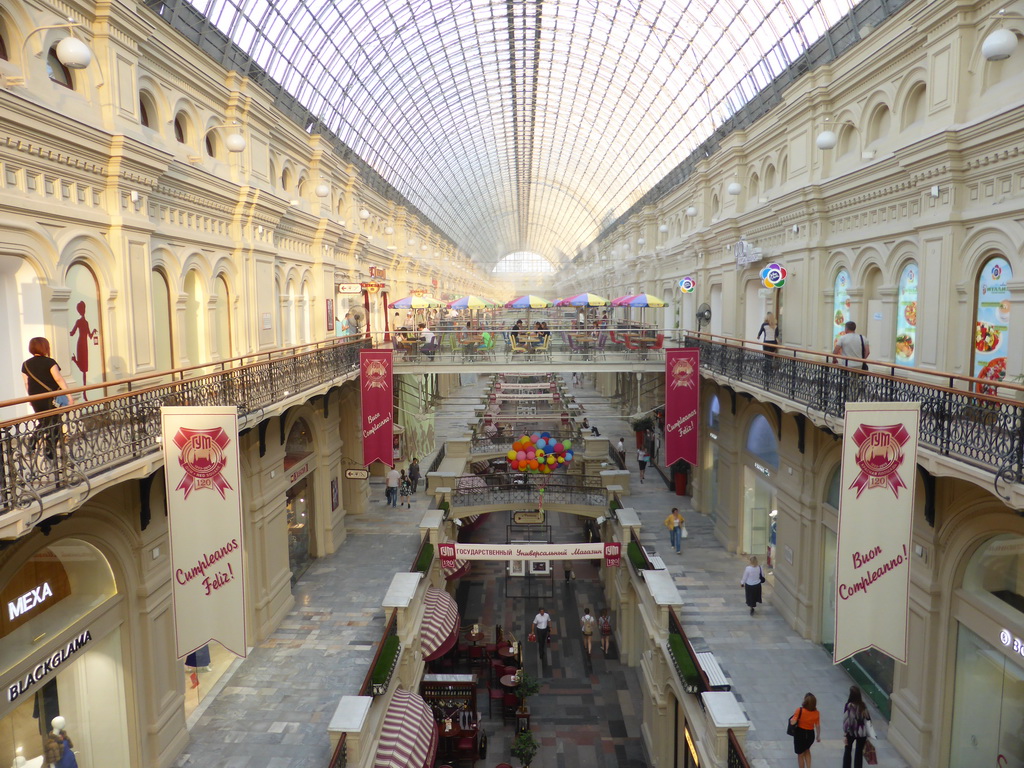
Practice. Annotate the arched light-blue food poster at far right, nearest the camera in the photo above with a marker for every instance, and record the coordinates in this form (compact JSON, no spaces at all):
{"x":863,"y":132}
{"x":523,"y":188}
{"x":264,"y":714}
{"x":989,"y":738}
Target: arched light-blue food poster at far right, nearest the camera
{"x":993,"y":322}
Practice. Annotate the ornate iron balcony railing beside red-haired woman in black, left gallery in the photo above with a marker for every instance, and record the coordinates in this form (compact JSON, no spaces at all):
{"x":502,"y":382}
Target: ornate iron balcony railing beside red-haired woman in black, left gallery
{"x":66,"y":448}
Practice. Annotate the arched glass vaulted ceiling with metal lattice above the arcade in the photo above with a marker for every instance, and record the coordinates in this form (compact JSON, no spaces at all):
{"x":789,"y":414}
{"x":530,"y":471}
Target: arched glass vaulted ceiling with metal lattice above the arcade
{"x":524,"y":125}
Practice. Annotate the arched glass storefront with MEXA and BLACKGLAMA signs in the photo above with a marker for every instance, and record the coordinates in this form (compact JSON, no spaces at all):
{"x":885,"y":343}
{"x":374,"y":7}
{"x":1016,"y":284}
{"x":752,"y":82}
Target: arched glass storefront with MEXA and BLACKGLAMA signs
{"x":61,"y":656}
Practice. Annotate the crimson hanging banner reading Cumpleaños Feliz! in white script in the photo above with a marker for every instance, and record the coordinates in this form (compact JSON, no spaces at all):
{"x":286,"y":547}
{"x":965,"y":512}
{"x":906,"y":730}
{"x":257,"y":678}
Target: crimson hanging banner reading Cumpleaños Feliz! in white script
{"x":682,"y":405}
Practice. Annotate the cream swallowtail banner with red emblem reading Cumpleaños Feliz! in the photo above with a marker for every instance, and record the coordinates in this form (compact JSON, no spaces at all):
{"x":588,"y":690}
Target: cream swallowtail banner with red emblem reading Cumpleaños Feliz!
{"x":204,"y":514}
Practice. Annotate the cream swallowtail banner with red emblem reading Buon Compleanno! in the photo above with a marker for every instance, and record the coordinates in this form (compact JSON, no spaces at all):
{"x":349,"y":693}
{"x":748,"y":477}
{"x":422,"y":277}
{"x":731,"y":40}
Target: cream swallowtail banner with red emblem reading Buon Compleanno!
{"x":876,"y":520}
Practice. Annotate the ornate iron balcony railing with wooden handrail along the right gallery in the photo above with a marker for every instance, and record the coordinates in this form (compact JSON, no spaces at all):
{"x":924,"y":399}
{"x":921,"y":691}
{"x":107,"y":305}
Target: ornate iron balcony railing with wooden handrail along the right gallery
{"x":976,"y":428}
